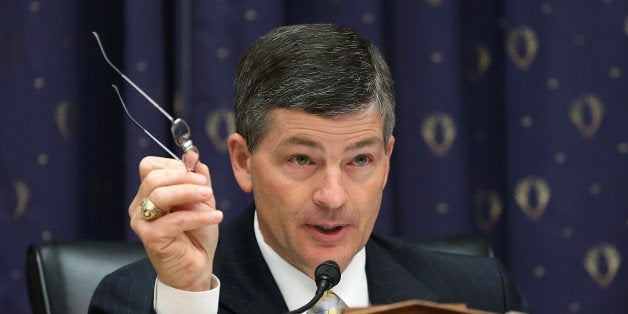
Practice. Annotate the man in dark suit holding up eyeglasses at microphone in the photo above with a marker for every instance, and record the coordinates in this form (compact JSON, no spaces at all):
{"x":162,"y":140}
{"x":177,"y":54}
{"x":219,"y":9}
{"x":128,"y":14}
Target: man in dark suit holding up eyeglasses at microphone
{"x":314,"y":110}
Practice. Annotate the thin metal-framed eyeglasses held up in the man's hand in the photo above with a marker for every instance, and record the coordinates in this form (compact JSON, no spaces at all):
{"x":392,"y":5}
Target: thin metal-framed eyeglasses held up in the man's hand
{"x":179,"y":128}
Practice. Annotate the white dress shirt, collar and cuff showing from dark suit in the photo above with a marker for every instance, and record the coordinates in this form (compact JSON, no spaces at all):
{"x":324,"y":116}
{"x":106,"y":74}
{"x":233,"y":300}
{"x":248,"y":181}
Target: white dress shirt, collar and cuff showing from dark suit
{"x":296,"y":287}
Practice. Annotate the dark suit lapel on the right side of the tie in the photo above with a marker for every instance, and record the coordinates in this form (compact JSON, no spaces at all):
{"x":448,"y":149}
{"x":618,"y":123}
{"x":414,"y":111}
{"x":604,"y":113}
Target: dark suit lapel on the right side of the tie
{"x":389,"y":281}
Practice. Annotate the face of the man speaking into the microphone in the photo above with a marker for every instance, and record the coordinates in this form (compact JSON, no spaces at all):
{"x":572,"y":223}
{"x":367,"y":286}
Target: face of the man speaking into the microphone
{"x":318,"y":184}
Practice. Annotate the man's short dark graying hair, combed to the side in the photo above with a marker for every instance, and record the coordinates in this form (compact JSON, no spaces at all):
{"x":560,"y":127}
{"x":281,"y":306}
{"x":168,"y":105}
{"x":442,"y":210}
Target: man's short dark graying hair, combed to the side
{"x":322,"y":69}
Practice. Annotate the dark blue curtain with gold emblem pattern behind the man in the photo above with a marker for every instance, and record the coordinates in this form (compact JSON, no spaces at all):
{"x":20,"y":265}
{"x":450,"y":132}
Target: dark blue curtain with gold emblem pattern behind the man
{"x":511,"y":124}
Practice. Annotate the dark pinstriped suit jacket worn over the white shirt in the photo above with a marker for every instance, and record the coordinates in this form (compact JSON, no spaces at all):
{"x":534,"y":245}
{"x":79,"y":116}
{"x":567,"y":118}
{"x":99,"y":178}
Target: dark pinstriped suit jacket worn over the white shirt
{"x":396,"y":271}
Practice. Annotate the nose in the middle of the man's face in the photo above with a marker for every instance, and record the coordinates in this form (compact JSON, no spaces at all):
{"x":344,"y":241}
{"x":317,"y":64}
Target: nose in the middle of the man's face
{"x":331,"y":192}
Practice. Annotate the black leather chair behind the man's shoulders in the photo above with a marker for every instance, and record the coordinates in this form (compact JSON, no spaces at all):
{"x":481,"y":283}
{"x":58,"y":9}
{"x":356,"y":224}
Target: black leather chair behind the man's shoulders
{"x":61,"y":276}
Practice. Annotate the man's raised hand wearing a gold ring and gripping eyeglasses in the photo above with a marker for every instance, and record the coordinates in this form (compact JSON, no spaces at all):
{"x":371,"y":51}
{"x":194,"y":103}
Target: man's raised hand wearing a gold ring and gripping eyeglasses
{"x":181,"y":243}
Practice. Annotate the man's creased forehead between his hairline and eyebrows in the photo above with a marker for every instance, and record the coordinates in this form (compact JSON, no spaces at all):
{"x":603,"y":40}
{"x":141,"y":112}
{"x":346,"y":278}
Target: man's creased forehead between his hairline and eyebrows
{"x":286,"y":125}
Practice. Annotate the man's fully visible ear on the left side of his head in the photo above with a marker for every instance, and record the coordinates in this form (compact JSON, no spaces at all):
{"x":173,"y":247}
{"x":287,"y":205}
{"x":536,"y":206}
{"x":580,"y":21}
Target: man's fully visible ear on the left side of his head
{"x":240,"y":161}
